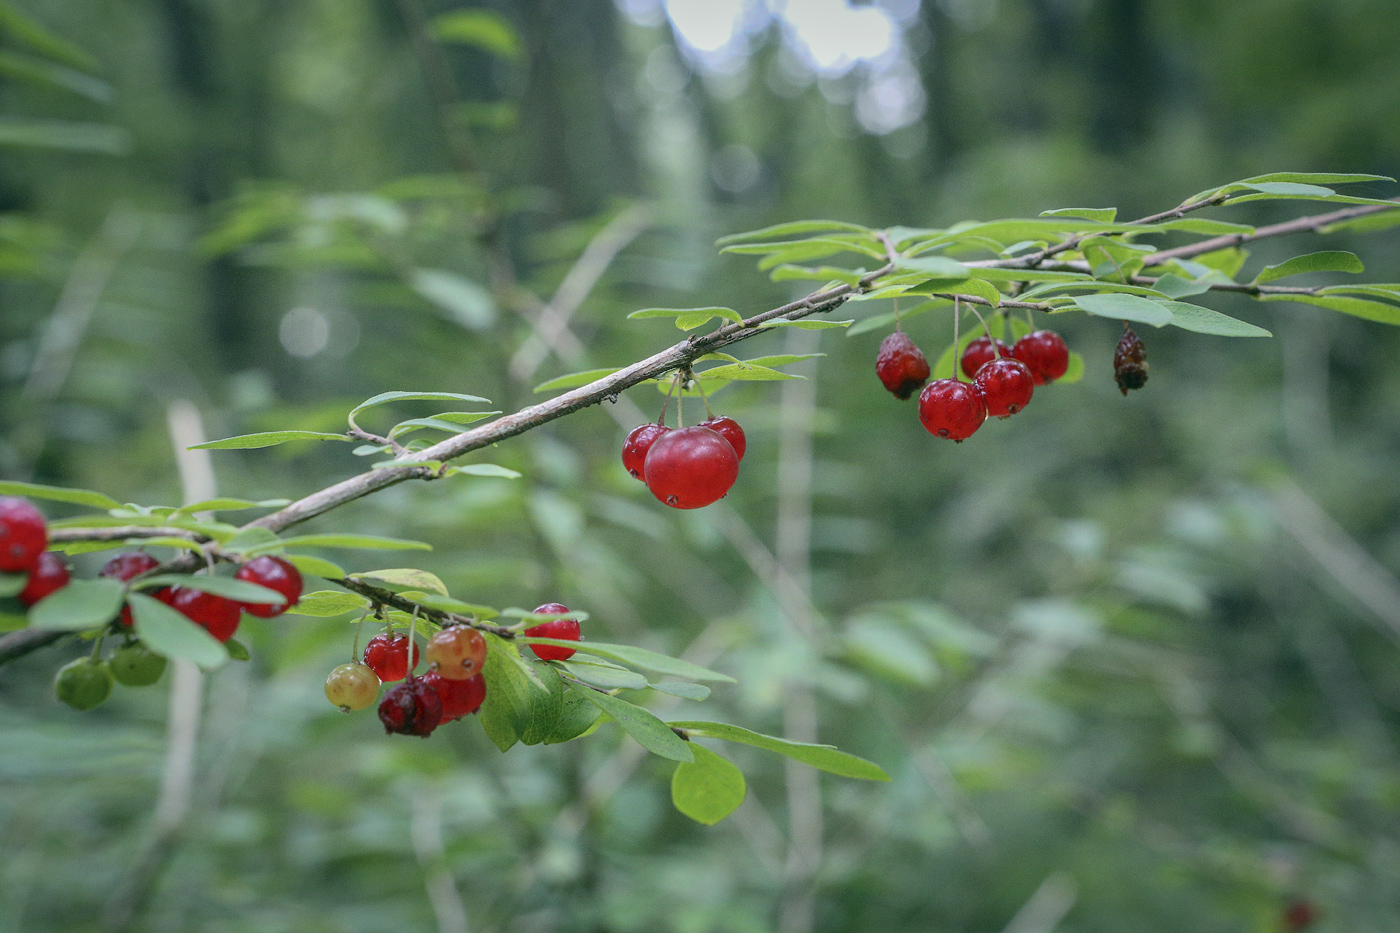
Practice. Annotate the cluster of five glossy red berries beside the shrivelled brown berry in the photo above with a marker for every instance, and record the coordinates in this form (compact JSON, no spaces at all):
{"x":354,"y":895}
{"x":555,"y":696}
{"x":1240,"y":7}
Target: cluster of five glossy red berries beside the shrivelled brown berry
{"x":1003,"y":379}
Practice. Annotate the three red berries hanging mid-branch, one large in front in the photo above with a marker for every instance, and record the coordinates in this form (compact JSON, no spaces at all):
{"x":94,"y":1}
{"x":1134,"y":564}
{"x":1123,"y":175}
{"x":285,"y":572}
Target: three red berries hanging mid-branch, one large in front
{"x":688,"y":467}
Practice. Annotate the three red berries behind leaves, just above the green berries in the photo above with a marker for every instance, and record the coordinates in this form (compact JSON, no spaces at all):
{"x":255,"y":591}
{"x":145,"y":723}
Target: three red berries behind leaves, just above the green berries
{"x":218,"y":616}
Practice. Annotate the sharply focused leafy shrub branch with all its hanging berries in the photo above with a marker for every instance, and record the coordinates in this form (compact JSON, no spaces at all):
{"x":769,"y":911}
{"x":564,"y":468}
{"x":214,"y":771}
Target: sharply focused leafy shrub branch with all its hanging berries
{"x":164,"y":597}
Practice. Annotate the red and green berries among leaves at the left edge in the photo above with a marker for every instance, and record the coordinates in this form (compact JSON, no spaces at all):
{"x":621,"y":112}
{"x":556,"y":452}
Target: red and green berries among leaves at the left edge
{"x":87,"y":683}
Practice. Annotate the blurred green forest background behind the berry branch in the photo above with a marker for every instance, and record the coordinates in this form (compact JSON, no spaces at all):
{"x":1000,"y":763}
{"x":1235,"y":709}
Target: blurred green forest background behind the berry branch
{"x":1130,"y":662}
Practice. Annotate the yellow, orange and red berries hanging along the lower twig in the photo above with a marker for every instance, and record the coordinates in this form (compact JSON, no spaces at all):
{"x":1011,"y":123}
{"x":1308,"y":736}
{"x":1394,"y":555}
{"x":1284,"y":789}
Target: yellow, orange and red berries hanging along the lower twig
{"x":453,"y":686}
